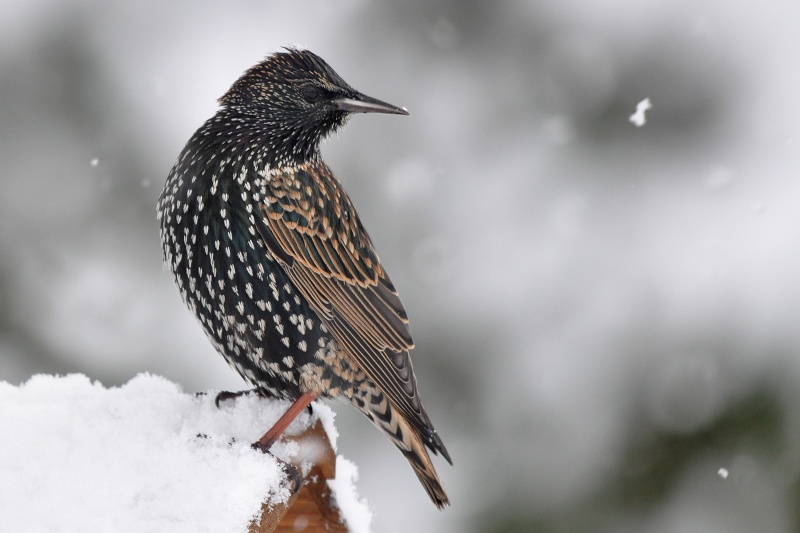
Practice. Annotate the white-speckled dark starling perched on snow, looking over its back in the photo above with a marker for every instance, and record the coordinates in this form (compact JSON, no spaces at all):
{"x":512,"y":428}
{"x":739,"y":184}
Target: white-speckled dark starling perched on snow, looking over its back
{"x":270,"y":255}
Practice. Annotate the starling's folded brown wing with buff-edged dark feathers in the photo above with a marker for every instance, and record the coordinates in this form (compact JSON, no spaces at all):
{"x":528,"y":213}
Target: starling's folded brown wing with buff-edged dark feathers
{"x":312,"y":229}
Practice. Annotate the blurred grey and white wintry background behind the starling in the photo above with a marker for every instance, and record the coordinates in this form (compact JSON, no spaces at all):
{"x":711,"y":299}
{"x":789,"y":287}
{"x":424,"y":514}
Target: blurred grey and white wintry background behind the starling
{"x":606,"y":316}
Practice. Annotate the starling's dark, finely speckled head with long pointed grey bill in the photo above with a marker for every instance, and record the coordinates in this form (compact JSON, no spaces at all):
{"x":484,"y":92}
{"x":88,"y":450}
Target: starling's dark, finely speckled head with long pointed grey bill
{"x":295,"y":99}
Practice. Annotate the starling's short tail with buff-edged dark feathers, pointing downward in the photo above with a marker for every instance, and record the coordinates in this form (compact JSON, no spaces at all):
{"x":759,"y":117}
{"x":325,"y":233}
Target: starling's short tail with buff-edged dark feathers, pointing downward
{"x":411,"y":442}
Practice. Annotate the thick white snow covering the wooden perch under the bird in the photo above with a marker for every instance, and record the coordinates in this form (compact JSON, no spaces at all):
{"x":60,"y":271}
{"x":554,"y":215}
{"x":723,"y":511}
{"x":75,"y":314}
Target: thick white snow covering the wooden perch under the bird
{"x":145,"y":456}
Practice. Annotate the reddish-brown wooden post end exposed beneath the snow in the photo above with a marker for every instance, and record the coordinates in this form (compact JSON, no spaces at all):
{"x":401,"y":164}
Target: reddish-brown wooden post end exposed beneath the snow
{"x":309,"y":509}
